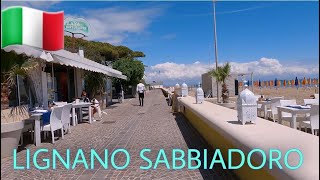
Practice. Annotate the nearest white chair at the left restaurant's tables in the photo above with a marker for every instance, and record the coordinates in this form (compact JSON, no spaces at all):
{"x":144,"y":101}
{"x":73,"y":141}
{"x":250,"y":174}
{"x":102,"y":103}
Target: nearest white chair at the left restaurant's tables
{"x":55,"y":122}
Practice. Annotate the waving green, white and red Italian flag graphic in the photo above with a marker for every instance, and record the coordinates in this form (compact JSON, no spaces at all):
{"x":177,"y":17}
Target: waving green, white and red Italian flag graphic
{"x":27,"y":26}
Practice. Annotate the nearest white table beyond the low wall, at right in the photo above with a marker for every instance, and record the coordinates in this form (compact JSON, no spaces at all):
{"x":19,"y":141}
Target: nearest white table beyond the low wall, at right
{"x":294,"y":110}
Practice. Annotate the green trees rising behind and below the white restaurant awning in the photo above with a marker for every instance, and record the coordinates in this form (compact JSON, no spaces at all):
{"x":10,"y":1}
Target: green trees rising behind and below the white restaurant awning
{"x":120,"y":57}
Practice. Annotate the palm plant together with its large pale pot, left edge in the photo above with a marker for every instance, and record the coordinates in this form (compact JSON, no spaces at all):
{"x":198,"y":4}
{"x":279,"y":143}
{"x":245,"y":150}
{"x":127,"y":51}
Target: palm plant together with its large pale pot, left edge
{"x":12,"y":119}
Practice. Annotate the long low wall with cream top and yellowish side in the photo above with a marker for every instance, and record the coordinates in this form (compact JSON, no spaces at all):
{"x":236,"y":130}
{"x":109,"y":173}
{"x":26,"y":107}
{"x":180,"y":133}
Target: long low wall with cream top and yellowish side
{"x":220,"y":128}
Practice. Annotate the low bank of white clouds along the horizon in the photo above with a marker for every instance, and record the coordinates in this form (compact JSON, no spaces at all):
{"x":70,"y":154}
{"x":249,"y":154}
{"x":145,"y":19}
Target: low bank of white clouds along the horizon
{"x":263,"y":68}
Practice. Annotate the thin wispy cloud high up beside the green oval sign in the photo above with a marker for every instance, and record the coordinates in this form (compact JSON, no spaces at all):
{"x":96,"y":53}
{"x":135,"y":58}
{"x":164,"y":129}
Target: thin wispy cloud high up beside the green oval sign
{"x":113,"y":25}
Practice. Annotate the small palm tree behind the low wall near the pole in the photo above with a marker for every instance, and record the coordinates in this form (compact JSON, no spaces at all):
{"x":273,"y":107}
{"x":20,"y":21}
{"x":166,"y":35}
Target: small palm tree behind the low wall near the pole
{"x":222,"y":73}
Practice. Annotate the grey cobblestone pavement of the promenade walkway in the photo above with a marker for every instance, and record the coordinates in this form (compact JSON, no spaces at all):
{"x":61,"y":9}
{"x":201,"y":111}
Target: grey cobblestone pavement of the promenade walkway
{"x":127,"y":126}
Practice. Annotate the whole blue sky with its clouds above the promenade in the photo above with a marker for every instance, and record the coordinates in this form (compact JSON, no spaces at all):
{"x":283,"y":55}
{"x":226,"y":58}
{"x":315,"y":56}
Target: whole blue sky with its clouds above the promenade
{"x":270,"y":38}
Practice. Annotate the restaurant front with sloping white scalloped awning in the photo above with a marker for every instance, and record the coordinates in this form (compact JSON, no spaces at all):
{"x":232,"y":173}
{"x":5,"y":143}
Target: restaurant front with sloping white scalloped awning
{"x":61,"y":74}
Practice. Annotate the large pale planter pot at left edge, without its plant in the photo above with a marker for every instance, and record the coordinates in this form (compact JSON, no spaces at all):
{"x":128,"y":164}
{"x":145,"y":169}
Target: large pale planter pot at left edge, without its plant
{"x":10,"y":136}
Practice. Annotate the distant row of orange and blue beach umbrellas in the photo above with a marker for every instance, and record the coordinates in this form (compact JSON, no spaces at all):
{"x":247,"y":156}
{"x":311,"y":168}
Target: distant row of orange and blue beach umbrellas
{"x":285,"y":83}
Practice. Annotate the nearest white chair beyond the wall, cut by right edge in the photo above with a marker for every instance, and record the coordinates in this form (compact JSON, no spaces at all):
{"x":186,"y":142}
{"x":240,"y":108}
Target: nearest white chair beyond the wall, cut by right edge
{"x":312,"y":121}
